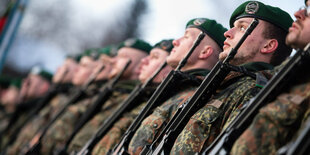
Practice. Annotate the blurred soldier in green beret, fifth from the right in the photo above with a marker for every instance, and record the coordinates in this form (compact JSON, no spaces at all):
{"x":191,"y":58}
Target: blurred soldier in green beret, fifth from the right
{"x":131,"y":49}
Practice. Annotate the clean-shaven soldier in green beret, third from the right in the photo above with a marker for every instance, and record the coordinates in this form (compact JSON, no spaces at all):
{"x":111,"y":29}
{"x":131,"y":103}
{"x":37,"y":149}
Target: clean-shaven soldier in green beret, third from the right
{"x":200,"y":62}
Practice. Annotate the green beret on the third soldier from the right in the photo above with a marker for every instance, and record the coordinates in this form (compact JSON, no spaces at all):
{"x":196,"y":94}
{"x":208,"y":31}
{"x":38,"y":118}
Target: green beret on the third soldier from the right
{"x":210,"y":27}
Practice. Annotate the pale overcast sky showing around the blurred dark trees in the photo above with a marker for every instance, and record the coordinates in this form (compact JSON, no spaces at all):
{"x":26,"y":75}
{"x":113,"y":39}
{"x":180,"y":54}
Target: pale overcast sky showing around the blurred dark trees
{"x":164,"y":19}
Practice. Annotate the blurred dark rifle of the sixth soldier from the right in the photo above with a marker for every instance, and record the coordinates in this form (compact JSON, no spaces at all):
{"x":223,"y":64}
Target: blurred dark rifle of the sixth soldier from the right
{"x":35,"y":148}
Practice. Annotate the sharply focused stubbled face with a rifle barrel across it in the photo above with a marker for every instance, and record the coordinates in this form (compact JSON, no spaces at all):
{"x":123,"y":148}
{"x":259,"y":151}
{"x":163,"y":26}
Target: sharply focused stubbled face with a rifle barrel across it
{"x":250,"y":47}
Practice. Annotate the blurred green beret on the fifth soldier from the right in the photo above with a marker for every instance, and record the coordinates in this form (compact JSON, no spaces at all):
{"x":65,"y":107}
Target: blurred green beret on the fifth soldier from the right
{"x":137,"y":44}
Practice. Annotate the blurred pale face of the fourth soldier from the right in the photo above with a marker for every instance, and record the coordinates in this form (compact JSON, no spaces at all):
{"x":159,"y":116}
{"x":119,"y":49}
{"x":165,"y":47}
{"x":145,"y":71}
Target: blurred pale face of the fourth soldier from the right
{"x":151,"y":63}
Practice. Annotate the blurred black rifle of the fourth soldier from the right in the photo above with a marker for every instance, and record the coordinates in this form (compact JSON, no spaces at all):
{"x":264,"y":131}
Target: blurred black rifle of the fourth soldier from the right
{"x":134,"y":99}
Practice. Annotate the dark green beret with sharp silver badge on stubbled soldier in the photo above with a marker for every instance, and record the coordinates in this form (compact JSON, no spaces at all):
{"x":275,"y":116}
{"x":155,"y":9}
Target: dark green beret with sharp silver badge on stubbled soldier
{"x":255,"y":9}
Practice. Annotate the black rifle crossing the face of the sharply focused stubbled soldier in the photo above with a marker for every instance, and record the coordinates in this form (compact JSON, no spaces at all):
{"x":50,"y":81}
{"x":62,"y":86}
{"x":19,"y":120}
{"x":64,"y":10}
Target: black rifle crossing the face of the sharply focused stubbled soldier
{"x":204,"y":92}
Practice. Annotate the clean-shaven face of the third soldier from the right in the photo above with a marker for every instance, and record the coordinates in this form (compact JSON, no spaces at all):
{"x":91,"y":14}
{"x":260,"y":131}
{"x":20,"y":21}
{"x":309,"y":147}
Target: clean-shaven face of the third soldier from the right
{"x":182,"y":46}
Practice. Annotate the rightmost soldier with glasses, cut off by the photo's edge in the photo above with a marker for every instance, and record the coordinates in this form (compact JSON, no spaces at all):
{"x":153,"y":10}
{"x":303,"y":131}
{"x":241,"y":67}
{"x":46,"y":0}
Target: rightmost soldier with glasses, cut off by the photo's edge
{"x":275,"y":123}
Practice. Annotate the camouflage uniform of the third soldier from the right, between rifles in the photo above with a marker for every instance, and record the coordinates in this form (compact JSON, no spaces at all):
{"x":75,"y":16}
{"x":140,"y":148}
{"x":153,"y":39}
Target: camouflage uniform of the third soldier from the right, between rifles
{"x":153,"y":124}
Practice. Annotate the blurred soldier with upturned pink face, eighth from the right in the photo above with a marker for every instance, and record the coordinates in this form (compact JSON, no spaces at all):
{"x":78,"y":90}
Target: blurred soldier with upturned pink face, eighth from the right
{"x":64,"y":77}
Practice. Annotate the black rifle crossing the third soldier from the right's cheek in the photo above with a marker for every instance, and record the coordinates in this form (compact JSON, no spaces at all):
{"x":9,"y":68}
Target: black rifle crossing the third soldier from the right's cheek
{"x":158,"y":97}
